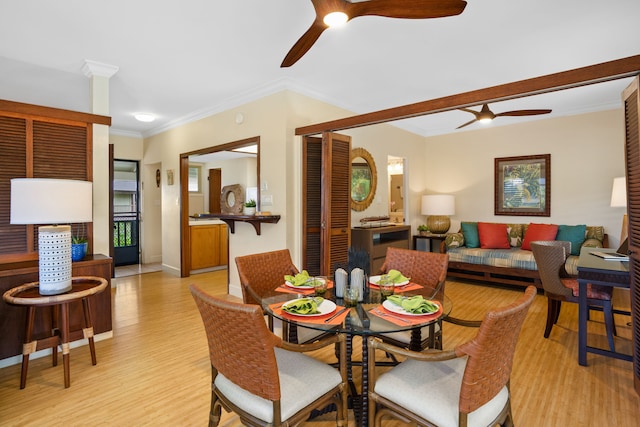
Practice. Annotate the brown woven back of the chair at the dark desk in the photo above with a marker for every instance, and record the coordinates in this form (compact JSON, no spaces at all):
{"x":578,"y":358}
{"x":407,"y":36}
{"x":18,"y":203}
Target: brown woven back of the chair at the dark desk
{"x":550,"y":256}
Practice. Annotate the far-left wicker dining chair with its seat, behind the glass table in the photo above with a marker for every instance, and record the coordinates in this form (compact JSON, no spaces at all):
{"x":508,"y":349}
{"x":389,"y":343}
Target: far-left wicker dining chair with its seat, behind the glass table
{"x":260,"y":274}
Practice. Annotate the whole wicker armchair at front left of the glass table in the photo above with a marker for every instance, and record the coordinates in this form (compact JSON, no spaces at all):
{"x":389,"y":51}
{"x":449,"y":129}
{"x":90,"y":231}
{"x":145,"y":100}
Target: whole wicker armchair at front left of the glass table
{"x":260,"y":377}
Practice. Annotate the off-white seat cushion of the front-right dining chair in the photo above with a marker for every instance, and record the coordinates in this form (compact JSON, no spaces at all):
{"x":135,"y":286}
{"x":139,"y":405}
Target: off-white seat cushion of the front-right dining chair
{"x":431,"y":390}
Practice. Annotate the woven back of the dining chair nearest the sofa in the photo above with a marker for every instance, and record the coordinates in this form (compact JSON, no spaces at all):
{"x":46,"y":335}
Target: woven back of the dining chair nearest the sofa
{"x":424,"y":268}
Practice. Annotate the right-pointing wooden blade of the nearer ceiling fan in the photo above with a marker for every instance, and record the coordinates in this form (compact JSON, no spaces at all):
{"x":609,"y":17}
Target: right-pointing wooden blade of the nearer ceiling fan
{"x":407,"y":9}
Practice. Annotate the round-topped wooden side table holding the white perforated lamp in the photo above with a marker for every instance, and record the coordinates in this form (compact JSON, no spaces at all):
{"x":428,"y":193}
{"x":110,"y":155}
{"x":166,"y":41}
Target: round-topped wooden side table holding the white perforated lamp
{"x":28,"y":295}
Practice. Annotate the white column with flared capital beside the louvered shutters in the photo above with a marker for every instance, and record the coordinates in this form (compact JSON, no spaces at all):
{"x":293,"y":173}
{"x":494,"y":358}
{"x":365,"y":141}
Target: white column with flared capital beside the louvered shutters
{"x":99,"y":75}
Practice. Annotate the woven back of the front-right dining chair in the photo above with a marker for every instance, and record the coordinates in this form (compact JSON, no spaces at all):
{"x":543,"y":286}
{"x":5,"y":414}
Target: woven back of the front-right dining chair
{"x":491,"y":353}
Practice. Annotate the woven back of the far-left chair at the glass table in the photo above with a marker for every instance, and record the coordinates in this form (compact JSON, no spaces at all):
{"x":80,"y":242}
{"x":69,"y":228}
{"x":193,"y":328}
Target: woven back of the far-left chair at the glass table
{"x":263,"y":272}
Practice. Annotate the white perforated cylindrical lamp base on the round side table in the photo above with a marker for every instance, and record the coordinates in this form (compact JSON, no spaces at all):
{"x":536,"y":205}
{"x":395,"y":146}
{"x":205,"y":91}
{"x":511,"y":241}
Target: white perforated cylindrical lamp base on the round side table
{"x":54,"y":259}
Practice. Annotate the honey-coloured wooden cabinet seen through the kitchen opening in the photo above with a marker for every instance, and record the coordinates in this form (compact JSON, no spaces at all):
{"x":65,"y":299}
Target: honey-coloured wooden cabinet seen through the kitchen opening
{"x":208,"y":246}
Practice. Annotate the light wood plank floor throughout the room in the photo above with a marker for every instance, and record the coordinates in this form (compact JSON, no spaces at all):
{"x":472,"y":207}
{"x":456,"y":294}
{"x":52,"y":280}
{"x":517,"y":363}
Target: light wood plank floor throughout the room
{"x":155,"y":370}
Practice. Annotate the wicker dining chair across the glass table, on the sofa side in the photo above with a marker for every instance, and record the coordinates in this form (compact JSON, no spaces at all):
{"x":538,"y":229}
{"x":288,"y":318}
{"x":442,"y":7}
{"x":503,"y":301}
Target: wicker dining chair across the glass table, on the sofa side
{"x":424,"y":268}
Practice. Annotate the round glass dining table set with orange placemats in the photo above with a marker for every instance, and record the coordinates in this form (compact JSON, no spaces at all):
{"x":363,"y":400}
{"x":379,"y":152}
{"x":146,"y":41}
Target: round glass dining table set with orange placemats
{"x":373,"y":316}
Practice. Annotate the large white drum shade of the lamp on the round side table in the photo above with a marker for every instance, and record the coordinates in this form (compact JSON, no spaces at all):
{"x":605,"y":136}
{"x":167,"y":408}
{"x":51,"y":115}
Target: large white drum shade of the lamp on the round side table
{"x":51,"y":201}
